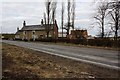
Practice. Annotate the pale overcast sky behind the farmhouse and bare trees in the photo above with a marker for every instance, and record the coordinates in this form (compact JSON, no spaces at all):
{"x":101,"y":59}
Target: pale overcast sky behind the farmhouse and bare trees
{"x":14,"y":12}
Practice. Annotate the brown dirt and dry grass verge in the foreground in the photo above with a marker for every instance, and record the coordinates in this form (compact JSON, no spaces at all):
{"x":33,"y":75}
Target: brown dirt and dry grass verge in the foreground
{"x":18,"y":62}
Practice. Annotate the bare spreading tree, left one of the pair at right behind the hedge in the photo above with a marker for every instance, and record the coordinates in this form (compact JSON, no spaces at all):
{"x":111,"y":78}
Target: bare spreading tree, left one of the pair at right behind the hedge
{"x":101,"y":14}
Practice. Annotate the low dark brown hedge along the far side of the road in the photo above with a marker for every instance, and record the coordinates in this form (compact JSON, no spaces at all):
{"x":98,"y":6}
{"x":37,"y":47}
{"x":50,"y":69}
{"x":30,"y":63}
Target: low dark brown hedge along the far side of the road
{"x":92,"y":42}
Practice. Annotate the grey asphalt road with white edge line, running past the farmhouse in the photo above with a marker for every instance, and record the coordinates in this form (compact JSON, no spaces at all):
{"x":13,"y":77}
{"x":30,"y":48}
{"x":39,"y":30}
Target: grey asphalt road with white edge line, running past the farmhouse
{"x":101,"y":57}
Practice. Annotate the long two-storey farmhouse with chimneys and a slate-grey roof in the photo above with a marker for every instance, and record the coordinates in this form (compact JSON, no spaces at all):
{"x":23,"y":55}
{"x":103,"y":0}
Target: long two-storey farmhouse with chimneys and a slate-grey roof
{"x":34,"y":32}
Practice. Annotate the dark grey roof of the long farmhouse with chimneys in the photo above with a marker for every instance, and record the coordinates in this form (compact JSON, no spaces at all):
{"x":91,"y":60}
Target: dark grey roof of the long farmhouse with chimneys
{"x":36,"y":27}
